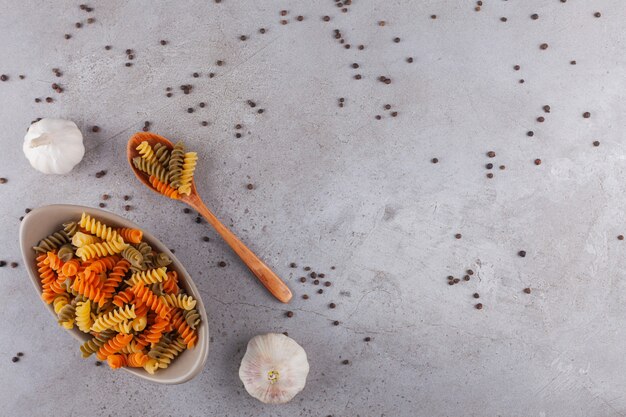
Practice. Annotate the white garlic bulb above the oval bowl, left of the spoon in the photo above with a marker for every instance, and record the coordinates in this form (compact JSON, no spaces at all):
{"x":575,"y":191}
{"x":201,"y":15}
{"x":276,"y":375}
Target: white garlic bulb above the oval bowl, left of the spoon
{"x":53,"y":146}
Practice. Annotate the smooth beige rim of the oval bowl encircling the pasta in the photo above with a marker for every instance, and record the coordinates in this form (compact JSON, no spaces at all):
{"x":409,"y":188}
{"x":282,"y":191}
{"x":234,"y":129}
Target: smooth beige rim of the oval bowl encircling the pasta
{"x":119,"y":221}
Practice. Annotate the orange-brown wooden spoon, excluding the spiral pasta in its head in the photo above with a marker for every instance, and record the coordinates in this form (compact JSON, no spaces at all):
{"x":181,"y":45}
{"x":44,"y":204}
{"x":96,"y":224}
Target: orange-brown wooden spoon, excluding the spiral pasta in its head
{"x":268,"y":278}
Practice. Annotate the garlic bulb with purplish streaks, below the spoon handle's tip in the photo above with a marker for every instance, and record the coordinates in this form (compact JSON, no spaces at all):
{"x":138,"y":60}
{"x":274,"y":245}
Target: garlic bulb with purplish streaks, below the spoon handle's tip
{"x":274,"y":368}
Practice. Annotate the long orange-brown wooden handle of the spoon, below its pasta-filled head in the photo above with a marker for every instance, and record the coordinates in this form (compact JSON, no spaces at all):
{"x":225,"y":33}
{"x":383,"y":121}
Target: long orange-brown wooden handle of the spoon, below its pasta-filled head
{"x":268,"y":278}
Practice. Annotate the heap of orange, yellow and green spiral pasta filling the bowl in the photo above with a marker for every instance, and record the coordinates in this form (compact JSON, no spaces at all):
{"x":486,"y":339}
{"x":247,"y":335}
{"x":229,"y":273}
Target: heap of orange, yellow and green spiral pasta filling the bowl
{"x":138,"y":316}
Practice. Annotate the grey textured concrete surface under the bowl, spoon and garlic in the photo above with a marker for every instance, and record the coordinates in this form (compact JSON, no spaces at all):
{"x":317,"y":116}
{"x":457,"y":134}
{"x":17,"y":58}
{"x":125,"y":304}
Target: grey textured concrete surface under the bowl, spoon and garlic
{"x":336,"y":187}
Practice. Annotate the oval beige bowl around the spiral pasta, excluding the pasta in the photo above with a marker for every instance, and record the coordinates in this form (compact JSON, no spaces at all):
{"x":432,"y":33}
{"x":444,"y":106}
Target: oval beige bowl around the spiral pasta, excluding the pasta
{"x":43,"y":221}
